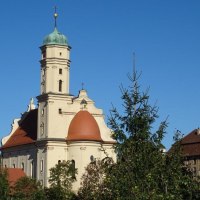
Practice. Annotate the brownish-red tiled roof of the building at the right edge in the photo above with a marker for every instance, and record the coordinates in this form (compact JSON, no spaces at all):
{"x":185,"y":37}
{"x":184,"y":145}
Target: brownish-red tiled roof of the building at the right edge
{"x":191,"y":144}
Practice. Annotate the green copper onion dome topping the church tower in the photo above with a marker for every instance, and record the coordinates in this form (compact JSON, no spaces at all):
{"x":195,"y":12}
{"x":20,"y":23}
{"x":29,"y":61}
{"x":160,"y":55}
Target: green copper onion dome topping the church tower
{"x":55,"y":38}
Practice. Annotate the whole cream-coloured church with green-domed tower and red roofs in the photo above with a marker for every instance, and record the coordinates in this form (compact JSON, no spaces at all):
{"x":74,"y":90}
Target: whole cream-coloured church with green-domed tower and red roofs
{"x":62,"y":126}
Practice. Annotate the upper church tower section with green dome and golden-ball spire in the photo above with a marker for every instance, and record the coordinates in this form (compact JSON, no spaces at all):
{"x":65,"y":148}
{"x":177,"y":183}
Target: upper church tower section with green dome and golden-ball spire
{"x":55,"y":63}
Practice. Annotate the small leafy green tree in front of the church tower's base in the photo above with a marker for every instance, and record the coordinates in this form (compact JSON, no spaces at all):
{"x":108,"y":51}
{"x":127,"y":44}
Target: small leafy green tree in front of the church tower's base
{"x":61,"y":178}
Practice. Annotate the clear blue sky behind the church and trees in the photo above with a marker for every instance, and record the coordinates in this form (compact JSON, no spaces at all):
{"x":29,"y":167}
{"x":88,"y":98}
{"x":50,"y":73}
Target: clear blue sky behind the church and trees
{"x":164,"y":34}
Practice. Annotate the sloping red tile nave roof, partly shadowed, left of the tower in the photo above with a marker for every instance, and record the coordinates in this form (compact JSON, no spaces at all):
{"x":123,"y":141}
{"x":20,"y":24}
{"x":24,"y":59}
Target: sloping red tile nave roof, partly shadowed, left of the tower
{"x":26,"y":133}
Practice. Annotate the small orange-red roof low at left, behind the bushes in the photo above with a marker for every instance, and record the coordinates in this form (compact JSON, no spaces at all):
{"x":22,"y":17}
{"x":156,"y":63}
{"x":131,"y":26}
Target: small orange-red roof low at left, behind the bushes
{"x":14,"y":174}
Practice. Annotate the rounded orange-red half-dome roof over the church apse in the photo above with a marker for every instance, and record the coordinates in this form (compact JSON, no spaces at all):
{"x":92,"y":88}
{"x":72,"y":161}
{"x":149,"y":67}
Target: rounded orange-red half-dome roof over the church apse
{"x":84,"y":127}
